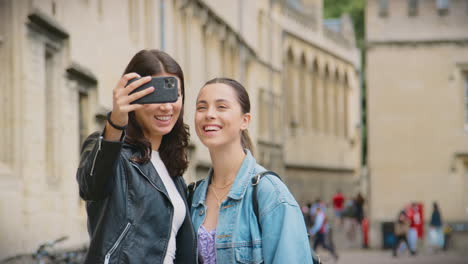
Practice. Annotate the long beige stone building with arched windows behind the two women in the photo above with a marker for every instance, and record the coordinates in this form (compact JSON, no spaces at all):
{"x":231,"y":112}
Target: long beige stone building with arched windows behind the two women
{"x":59,"y":61}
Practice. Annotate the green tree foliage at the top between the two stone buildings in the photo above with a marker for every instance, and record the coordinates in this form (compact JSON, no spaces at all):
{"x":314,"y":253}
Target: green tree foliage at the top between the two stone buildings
{"x":355,"y":8}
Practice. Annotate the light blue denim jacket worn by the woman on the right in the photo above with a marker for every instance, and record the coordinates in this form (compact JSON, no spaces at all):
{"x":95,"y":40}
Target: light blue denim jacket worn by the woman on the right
{"x":283,"y":238}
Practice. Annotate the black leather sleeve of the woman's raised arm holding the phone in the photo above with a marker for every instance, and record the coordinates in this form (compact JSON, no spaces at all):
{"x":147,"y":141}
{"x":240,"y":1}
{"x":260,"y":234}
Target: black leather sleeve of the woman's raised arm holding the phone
{"x":98,"y":162}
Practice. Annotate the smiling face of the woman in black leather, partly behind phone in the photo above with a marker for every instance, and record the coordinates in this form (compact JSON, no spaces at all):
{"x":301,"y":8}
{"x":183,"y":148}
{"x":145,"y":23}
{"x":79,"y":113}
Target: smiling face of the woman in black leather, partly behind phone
{"x":157,"y":120}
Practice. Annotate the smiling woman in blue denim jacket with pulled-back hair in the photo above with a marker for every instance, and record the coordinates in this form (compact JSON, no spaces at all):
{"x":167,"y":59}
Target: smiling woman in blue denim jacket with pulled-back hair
{"x":239,"y":216}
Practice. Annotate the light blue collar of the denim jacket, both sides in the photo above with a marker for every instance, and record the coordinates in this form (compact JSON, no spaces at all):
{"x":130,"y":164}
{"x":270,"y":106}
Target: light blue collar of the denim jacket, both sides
{"x":238,"y":188}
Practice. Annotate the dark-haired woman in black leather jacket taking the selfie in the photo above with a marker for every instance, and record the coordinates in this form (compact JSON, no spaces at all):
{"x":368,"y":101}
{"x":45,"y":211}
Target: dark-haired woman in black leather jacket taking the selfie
{"x":130,"y":174}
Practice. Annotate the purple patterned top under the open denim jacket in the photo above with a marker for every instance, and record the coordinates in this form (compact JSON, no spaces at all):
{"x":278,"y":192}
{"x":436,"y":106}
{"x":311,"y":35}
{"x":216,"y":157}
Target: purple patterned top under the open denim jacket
{"x":206,"y":246}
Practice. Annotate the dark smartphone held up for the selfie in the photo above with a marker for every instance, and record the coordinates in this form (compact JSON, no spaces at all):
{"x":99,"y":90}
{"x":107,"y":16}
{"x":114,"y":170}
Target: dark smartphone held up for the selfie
{"x":165,"y":90}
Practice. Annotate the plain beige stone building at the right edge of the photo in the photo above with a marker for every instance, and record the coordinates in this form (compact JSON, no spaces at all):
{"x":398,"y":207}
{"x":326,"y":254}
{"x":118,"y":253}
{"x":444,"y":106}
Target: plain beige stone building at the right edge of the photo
{"x":417,"y":82}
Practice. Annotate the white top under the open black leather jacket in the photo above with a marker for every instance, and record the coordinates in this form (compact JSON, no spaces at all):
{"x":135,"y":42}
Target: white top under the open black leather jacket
{"x":177,"y":202}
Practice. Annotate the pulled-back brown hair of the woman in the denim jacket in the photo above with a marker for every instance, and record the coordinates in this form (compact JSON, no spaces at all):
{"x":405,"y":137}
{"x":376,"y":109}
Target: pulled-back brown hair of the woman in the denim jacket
{"x":244,"y":101}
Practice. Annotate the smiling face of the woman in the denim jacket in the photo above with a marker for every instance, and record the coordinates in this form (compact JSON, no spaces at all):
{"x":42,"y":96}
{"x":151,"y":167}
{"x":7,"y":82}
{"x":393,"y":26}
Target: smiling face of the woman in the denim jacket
{"x":218,"y":118}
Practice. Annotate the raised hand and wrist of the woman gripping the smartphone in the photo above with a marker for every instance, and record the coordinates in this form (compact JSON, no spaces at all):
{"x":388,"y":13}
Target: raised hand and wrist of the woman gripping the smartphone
{"x":121,"y":103}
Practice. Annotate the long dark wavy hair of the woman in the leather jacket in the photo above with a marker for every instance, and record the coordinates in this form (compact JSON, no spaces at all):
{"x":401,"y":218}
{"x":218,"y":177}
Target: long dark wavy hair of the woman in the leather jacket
{"x":173,"y":148}
